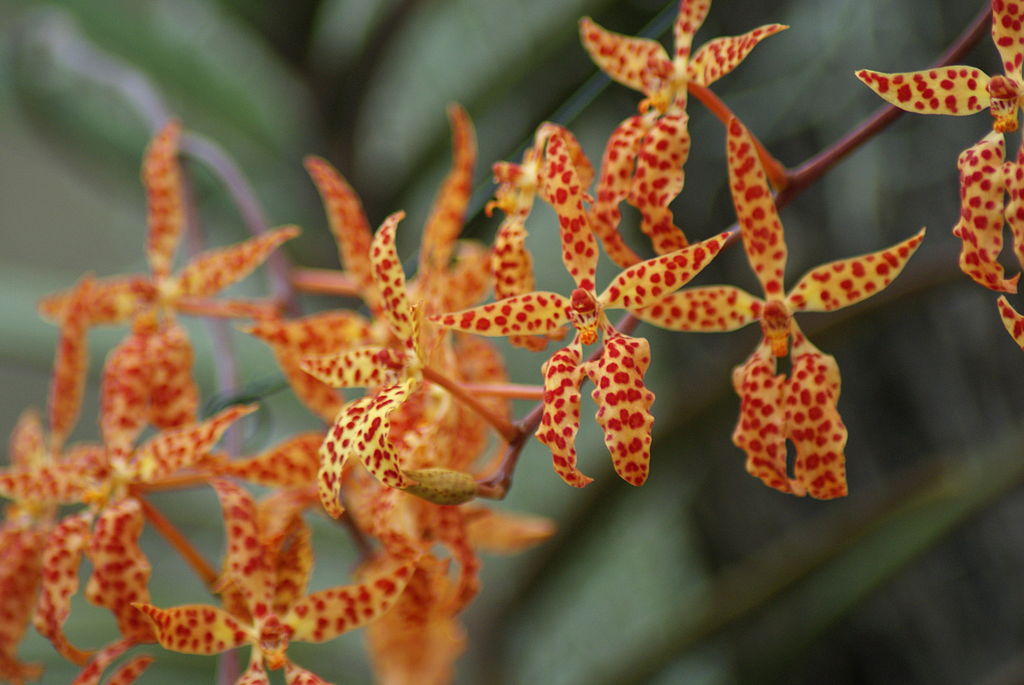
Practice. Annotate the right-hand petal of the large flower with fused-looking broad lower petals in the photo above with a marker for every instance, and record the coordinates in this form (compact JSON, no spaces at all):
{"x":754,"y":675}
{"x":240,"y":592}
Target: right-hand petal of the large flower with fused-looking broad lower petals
{"x":847,"y":282}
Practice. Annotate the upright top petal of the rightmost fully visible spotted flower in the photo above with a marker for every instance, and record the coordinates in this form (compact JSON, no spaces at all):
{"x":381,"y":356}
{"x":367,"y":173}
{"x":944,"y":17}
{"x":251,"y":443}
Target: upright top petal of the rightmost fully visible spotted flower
{"x":759,"y":222}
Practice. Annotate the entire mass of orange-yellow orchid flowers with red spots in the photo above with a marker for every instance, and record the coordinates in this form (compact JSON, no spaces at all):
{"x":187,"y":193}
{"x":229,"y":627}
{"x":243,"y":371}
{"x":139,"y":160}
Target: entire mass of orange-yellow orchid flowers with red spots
{"x":404,"y":464}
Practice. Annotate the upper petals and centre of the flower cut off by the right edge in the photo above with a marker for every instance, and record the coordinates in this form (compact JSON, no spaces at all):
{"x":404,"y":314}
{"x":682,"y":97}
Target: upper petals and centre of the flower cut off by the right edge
{"x":963,"y":91}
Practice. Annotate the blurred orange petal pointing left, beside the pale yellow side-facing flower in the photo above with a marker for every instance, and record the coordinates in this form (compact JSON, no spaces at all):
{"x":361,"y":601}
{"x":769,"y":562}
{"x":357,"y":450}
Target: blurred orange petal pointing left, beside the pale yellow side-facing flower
{"x":291,"y":464}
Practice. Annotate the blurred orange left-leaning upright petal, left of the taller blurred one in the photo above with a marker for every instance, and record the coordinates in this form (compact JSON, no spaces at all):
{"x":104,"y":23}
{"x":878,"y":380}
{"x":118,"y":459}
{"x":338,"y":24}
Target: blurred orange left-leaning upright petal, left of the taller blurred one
{"x":349,"y":223}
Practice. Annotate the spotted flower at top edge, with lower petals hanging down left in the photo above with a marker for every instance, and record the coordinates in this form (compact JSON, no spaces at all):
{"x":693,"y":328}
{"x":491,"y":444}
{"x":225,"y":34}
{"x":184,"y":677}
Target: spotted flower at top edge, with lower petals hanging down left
{"x":644,"y":160}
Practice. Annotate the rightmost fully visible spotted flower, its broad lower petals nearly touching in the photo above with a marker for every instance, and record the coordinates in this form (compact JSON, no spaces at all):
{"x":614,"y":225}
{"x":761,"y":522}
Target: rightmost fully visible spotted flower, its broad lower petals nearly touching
{"x":774,"y":408}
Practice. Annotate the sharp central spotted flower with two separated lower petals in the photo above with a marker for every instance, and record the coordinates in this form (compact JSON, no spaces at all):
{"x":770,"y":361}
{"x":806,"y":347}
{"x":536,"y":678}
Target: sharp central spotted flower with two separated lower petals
{"x":622,"y":398}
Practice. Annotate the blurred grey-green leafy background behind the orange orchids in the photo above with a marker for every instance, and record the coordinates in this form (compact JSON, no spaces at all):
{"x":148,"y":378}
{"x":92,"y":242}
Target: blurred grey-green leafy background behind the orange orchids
{"x":704,"y":576}
